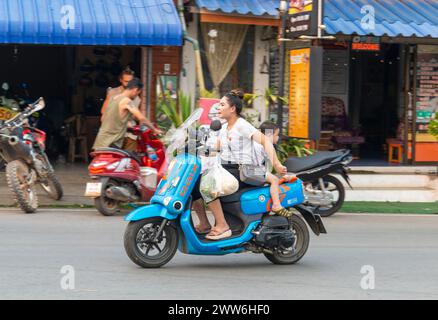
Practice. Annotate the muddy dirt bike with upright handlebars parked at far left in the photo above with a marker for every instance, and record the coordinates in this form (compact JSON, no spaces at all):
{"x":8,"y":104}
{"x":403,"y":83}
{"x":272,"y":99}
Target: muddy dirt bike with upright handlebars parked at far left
{"x":23,"y":149}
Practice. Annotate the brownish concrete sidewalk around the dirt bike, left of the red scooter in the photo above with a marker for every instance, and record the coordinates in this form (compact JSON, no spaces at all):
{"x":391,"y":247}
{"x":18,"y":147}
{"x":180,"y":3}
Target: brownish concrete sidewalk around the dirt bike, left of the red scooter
{"x":73,"y":178}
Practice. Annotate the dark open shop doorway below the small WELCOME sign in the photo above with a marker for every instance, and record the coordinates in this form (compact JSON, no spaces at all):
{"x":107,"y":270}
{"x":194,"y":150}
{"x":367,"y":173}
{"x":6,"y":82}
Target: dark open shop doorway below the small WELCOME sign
{"x":375,"y":101}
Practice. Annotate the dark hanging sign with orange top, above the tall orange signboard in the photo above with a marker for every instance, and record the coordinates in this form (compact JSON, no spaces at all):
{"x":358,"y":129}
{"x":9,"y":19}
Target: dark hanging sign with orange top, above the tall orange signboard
{"x":302,"y":18}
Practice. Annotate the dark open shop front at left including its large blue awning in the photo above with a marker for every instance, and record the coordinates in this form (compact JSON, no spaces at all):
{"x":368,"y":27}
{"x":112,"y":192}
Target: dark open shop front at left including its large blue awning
{"x":70,"y":52}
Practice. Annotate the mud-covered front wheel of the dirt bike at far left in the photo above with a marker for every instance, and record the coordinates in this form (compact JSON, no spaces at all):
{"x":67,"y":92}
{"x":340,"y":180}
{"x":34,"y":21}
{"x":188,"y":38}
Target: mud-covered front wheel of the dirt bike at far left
{"x":21,"y":182}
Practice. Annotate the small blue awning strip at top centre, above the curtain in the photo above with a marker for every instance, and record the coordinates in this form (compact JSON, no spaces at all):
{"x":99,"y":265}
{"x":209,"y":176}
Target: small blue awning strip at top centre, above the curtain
{"x":254,"y":7}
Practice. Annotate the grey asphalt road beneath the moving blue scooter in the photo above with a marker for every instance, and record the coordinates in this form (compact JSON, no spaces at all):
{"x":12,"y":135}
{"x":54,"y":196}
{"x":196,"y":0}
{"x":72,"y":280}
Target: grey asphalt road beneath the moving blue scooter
{"x":403,"y":251}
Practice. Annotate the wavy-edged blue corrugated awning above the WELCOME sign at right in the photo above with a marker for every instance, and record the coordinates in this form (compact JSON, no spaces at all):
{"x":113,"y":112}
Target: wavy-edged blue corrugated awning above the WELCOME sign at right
{"x":393,"y":18}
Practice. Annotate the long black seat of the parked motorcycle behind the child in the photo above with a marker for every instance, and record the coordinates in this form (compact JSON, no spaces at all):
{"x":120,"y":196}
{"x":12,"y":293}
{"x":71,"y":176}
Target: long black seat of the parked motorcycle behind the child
{"x":320,"y":158}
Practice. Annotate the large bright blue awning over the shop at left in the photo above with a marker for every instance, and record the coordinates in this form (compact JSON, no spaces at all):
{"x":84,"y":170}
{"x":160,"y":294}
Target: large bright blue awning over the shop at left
{"x":90,"y":22}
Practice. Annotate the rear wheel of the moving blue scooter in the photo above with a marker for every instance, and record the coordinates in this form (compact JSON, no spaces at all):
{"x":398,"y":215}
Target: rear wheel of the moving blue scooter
{"x":298,"y":250}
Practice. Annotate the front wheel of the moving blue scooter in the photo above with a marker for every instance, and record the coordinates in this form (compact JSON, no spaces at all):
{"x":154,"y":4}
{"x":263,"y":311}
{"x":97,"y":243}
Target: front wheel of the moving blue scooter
{"x":141,"y":248}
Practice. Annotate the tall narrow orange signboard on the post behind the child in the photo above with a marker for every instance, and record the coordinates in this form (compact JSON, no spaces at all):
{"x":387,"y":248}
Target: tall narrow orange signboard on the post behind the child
{"x":299,"y":92}
